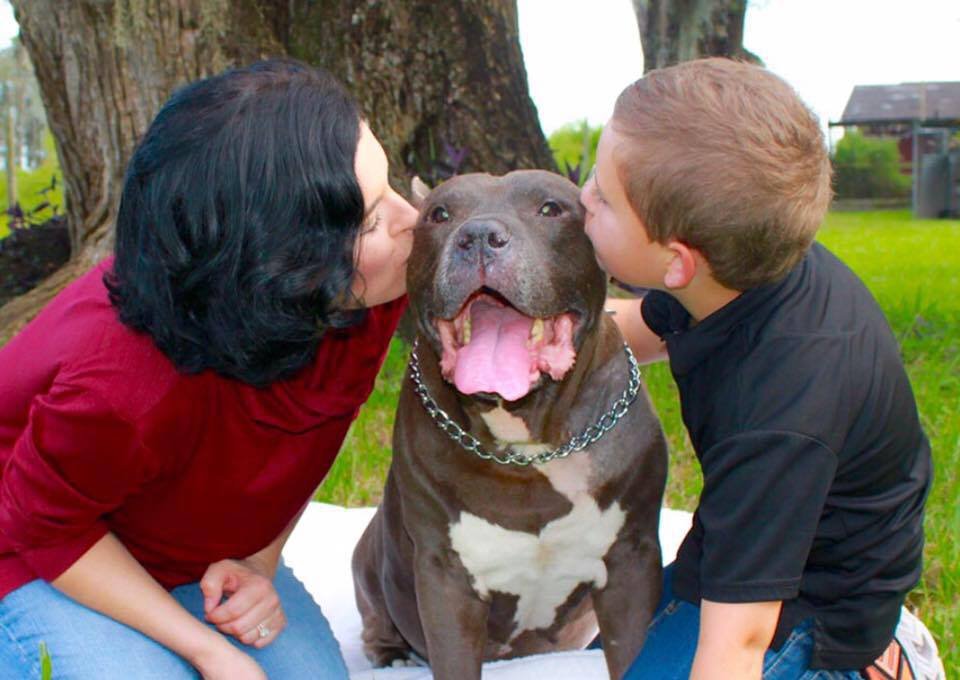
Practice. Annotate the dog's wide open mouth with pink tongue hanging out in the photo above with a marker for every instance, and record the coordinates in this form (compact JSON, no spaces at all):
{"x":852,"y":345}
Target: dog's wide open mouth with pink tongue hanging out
{"x":491,"y":346}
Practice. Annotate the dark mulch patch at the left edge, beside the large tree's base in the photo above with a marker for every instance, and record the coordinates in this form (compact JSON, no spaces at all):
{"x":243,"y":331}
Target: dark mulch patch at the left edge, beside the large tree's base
{"x":27,"y":256}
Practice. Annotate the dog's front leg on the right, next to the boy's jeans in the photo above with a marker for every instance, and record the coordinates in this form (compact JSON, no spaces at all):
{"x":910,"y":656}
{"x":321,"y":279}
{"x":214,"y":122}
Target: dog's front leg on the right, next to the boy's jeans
{"x":626,"y":604}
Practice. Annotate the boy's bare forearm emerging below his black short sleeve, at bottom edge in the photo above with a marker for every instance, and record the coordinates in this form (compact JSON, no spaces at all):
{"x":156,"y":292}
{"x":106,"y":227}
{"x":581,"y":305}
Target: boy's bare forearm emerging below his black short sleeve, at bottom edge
{"x":733,"y":639}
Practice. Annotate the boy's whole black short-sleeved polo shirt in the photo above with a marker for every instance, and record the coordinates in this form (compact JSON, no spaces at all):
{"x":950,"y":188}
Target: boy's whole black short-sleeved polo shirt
{"x":815,"y":466}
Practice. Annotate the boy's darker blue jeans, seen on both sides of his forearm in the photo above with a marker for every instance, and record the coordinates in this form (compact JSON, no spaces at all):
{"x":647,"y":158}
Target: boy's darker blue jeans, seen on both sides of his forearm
{"x":672,"y":641}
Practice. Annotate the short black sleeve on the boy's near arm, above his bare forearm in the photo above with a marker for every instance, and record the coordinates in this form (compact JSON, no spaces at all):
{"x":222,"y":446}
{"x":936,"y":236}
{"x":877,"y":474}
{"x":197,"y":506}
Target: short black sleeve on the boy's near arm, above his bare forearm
{"x":763,"y":496}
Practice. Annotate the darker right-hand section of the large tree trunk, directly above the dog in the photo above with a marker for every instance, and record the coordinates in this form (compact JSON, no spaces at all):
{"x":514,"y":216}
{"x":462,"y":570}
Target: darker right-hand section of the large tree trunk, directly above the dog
{"x":439,"y":81}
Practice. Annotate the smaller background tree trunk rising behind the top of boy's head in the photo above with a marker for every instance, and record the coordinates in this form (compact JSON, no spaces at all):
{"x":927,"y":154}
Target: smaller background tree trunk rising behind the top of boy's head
{"x":672,"y":31}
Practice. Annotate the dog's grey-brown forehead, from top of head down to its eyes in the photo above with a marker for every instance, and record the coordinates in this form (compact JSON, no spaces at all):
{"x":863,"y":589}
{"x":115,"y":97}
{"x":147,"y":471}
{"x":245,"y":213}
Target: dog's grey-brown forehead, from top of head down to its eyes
{"x":526,"y":193}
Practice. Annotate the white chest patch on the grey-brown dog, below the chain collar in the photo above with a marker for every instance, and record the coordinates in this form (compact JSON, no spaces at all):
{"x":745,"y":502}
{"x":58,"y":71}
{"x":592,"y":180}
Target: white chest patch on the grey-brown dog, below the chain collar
{"x":542,"y":569}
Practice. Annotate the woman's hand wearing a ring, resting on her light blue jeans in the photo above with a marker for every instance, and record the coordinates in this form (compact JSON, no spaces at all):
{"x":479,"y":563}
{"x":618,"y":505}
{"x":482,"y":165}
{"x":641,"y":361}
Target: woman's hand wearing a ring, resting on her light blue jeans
{"x":252,"y":613}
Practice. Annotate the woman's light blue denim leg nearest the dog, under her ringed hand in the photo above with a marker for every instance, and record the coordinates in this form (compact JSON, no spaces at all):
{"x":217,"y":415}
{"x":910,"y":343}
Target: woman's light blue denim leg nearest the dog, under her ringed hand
{"x":305,"y":648}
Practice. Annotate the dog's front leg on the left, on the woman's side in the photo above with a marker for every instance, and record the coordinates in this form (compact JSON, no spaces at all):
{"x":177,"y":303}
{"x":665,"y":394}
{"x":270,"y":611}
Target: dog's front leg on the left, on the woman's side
{"x":454,"y":618}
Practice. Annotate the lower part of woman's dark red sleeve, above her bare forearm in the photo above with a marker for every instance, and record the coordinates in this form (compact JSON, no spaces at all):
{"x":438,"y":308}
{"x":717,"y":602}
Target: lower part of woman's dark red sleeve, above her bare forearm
{"x":74,"y":463}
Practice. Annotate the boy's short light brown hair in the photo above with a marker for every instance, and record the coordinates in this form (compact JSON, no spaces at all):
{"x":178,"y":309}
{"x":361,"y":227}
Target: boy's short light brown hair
{"x":724,"y":157}
